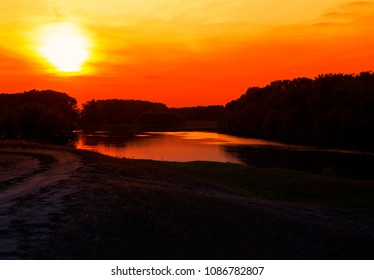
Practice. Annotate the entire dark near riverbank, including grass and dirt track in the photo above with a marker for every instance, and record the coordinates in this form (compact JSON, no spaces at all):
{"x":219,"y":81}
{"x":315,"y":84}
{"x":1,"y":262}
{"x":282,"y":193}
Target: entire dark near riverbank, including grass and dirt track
{"x":76,"y":204}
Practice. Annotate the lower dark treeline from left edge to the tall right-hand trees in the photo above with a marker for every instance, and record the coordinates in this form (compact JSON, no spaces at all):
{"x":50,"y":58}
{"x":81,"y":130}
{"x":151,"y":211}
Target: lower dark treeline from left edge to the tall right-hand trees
{"x":50,"y":116}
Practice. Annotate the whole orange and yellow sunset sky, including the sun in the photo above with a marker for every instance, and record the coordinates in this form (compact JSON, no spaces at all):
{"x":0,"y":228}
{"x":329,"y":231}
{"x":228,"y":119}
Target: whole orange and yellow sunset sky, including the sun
{"x":178,"y":52}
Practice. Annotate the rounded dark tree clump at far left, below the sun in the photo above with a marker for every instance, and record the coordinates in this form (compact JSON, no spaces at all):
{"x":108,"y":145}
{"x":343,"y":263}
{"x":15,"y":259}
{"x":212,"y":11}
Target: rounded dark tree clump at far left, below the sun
{"x":45,"y":116}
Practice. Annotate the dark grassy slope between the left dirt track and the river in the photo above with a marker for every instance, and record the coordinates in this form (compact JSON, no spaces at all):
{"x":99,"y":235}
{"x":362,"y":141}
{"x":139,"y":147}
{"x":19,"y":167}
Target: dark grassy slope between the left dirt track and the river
{"x":136,"y":209}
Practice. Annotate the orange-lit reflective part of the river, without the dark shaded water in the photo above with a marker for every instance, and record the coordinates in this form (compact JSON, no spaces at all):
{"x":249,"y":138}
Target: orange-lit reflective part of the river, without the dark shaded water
{"x":169,"y":146}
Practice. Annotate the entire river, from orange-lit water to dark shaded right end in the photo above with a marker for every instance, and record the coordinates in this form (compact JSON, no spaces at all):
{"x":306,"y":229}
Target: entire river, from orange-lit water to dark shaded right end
{"x":183,"y":146}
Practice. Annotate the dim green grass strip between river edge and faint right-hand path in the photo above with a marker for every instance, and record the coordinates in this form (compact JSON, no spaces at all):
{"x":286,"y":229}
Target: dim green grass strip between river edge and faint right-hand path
{"x":280,"y":184}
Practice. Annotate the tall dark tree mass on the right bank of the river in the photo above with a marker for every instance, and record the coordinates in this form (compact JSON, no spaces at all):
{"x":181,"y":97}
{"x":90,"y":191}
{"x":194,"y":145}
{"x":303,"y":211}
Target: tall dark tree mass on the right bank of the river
{"x":334,"y":110}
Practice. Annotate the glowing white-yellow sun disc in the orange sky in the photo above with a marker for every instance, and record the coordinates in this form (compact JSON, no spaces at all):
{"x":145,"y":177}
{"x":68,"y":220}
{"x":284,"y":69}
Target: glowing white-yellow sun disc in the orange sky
{"x":64,"y":46}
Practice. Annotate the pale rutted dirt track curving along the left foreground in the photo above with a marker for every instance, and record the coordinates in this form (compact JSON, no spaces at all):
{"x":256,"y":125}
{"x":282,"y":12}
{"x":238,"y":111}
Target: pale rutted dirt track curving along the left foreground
{"x":32,"y":186}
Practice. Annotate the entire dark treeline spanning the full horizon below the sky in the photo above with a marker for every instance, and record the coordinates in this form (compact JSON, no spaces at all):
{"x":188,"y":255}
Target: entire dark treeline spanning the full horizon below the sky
{"x":334,"y":110}
